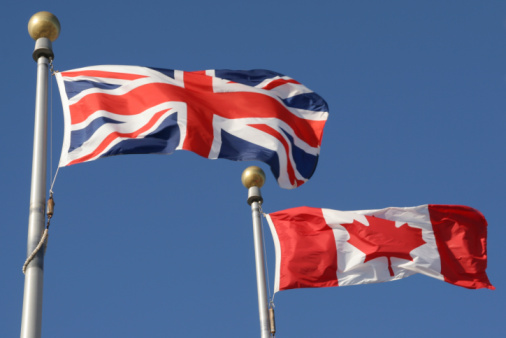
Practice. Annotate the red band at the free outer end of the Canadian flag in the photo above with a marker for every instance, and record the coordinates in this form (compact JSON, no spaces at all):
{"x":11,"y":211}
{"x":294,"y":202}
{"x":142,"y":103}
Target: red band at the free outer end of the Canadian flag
{"x":461,"y":237}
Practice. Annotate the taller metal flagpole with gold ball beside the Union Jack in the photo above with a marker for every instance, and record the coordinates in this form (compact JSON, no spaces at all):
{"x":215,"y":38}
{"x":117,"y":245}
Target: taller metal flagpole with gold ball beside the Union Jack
{"x":44,"y":28}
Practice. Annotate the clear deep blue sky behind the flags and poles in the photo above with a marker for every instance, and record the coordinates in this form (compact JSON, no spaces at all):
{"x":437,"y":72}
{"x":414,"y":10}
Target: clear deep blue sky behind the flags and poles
{"x":162,"y":246}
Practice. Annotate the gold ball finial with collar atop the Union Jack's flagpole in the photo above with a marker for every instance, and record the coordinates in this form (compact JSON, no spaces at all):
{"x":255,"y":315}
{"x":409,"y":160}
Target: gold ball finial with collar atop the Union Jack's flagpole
{"x":44,"y":28}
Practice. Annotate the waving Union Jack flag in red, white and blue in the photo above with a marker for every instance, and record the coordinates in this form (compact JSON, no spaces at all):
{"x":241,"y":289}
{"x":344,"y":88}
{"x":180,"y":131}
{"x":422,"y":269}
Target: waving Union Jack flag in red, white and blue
{"x":238,"y":115}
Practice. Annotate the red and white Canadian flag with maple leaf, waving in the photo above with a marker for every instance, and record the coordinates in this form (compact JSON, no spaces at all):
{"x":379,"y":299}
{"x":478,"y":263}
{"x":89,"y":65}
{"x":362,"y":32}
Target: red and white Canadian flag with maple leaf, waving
{"x":321,"y":247}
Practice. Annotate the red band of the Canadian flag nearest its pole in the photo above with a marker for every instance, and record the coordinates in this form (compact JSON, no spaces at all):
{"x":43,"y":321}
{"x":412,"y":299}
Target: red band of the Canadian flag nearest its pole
{"x":308,"y":249}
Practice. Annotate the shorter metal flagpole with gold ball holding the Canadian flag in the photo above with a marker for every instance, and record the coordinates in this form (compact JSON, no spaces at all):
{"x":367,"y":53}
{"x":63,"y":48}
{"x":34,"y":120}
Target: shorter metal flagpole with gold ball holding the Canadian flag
{"x":253,"y":178}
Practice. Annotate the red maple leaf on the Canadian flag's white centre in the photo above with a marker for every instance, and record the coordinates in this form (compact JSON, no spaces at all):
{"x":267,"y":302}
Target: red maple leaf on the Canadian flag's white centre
{"x":383,"y":239}
